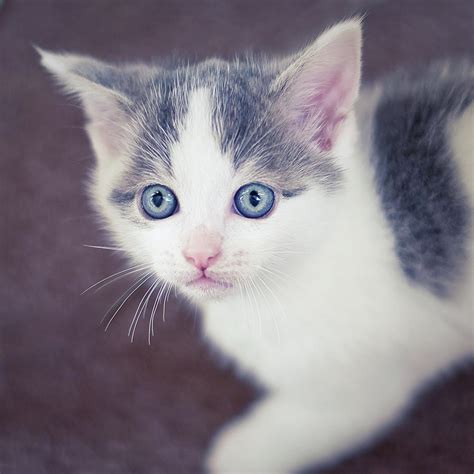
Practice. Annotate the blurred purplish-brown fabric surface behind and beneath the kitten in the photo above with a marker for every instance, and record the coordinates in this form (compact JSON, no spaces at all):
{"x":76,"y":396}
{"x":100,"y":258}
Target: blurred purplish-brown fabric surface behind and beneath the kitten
{"x":74,"y":399}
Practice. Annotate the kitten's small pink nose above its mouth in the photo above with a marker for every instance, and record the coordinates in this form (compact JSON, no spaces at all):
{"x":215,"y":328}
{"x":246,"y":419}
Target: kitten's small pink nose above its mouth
{"x":203,"y":248}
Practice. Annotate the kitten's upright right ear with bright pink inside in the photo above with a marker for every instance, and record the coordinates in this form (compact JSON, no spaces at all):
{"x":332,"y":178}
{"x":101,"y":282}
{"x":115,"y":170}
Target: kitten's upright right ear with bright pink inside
{"x":319,"y":87}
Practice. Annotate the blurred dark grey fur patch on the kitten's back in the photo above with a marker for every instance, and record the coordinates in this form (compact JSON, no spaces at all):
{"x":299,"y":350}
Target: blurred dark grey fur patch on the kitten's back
{"x":415,"y":174}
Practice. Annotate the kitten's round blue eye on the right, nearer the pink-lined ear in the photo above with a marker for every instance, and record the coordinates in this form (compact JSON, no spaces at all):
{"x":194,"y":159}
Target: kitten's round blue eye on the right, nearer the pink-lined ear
{"x":254,"y":200}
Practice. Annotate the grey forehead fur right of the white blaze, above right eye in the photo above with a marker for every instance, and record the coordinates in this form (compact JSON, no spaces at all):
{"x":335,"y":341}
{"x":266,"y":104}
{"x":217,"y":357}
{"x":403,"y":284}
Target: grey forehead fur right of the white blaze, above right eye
{"x":250,"y":129}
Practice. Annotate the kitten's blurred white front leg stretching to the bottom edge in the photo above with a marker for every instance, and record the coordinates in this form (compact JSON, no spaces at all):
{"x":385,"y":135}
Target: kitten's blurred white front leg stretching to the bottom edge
{"x":282,"y":434}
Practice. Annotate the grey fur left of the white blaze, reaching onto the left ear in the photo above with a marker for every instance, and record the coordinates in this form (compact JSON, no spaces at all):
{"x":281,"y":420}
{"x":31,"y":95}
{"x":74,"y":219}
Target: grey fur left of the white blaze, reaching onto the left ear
{"x":154,"y":106}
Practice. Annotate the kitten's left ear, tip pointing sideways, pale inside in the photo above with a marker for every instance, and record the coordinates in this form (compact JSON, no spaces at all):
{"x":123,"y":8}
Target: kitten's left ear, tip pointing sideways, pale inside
{"x":97,"y":85}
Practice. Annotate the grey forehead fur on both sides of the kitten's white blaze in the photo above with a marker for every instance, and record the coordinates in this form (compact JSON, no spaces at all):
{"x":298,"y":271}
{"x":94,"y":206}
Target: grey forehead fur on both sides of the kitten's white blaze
{"x":244,"y":120}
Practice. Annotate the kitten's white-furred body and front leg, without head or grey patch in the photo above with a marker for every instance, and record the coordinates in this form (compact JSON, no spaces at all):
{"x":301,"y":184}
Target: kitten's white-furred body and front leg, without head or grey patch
{"x":347,"y":342}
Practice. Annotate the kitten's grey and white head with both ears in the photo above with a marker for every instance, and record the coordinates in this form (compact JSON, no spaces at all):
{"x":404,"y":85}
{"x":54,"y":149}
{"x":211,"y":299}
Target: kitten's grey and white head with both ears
{"x":219,"y":173}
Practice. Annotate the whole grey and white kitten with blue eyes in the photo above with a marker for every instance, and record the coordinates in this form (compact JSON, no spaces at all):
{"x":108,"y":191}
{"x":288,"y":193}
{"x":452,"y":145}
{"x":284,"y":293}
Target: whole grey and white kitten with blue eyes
{"x":328,"y":242}
